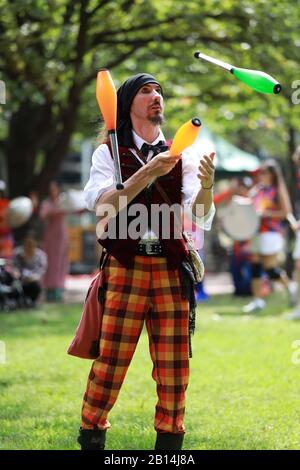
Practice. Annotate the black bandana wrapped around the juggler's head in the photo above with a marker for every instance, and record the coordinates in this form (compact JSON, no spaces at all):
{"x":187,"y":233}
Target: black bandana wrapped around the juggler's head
{"x":125,"y":95}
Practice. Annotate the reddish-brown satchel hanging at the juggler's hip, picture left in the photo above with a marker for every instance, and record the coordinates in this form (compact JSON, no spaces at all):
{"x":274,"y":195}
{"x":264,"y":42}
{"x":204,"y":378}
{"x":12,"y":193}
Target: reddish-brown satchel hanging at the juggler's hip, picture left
{"x":85,"y":343}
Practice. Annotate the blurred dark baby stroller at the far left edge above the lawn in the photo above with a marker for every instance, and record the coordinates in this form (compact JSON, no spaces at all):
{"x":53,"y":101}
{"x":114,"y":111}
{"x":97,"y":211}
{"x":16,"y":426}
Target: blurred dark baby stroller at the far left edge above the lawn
{"x":11,"y":291}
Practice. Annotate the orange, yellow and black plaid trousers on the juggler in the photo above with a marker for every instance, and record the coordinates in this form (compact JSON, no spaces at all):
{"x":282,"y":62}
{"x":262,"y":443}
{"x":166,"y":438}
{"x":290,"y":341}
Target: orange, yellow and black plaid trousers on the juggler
{"x":152,"y":293}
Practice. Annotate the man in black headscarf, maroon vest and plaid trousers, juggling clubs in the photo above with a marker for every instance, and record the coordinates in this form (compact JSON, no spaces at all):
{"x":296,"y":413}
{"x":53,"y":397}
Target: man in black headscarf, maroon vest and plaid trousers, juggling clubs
{"x":146,"y":276}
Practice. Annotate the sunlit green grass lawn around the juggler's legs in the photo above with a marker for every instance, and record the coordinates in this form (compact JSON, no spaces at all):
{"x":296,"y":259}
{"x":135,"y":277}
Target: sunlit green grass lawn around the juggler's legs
{"x":243,"y":392}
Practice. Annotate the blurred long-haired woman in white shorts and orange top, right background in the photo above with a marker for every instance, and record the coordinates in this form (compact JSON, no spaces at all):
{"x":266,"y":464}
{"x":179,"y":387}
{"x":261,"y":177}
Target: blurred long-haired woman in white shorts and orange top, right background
{"x":272,"y":203}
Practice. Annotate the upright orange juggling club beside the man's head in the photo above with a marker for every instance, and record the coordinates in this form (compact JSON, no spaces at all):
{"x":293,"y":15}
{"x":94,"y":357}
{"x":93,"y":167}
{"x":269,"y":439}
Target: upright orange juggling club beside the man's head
{"x":107,"y":100}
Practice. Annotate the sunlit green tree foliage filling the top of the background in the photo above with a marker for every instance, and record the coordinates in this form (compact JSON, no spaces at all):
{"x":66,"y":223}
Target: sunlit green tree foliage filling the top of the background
{"x":50,"y":53}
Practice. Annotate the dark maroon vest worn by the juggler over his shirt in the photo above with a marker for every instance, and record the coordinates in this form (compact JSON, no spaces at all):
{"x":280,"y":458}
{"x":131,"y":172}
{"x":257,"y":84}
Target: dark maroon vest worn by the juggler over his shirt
{"x":124,"y":250}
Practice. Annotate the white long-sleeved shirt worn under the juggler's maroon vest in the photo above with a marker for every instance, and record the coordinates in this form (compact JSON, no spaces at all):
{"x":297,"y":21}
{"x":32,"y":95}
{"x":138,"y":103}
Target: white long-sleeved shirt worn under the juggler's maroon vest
{"x":102,"y":178}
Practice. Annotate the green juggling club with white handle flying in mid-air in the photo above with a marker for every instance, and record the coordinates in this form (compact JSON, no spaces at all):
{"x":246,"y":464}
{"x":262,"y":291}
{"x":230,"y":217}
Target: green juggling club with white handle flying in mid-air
{"x":259,"y":81}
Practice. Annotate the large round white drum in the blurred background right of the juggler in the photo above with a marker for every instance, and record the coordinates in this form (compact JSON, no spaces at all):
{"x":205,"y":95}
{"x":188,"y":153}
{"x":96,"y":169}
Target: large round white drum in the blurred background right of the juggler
{"x":239,"y":219}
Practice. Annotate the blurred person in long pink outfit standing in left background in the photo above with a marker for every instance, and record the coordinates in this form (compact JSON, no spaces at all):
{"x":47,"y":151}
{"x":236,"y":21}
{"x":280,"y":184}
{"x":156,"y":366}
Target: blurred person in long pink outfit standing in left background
{"x":55,"y":245}
